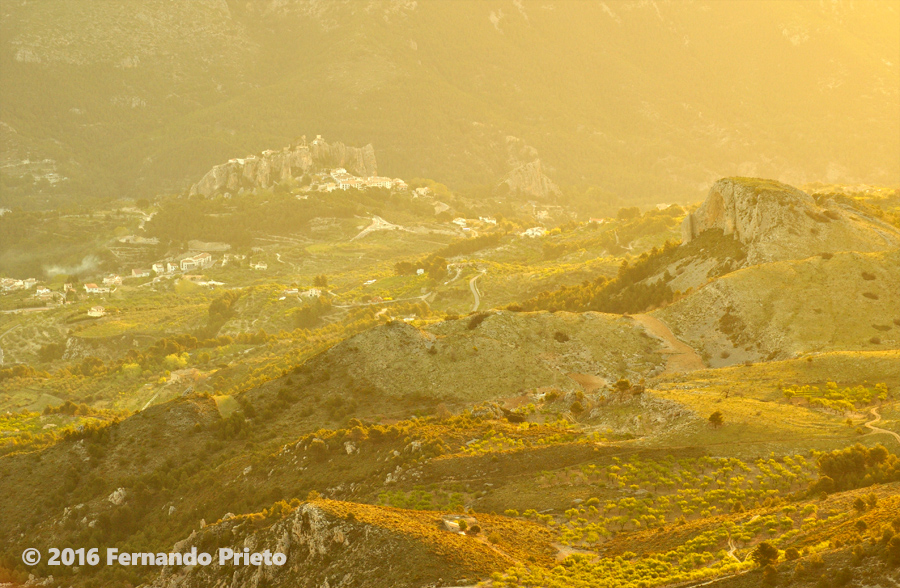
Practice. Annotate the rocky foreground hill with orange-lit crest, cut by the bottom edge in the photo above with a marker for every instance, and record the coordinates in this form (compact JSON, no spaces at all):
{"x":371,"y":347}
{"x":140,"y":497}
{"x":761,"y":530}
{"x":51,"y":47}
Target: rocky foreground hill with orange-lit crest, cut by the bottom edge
{"x":327,"y":544}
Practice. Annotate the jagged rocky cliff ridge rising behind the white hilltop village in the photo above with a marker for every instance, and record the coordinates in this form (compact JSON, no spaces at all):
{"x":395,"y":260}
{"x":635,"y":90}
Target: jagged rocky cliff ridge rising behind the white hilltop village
{"x":271,"y":167}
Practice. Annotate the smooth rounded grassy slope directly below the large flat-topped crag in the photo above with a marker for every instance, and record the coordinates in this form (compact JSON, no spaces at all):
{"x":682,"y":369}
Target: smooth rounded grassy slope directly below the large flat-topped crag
{"x":849,"y":301}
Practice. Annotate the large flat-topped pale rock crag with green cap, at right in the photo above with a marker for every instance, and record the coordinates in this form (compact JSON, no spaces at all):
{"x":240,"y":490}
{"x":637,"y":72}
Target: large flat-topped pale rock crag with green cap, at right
{"x":778,"y":222}
